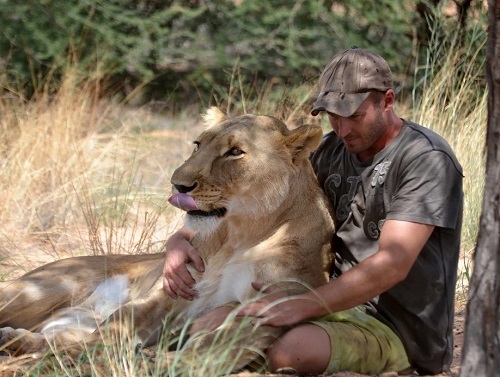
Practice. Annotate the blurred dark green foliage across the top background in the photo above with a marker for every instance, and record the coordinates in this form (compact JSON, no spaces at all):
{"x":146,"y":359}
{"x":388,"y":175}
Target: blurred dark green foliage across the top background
{"x":192,"y":46}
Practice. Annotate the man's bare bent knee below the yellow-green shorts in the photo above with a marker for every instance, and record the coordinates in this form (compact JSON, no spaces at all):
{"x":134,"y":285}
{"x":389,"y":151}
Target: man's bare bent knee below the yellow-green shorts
{"x":305,"y":348}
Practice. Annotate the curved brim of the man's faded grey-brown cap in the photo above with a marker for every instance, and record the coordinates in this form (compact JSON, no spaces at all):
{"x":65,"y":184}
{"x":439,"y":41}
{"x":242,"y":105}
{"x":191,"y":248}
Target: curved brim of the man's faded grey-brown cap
{"x":343,"y":104}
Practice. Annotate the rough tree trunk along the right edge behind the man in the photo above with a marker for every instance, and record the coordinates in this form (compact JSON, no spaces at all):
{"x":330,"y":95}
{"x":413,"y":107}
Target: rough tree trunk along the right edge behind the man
{"x":481,"y":352}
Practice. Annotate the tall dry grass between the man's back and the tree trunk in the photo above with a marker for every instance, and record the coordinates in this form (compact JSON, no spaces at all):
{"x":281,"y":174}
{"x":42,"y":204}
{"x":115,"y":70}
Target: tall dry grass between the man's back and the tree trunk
{"x":454,"y":104}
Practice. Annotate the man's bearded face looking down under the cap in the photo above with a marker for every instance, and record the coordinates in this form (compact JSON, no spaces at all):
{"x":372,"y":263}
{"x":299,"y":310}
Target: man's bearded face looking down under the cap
{"x":362,"y":131}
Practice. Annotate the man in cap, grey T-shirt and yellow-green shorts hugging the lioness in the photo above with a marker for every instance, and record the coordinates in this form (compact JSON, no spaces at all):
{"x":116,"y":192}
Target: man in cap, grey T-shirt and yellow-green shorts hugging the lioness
{"x":396,"y":189}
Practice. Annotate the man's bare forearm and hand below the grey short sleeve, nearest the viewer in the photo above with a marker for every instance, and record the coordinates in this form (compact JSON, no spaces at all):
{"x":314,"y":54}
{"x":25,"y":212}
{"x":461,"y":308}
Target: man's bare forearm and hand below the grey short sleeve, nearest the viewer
{"x":399,"y":245}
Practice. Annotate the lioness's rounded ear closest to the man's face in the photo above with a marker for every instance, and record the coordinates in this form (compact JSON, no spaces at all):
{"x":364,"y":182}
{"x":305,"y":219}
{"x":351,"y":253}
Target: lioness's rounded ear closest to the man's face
{"x":302,"y":141}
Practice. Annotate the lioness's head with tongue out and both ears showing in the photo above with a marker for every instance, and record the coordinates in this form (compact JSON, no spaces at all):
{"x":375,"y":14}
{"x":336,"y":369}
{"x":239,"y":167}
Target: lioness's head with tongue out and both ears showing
{"x":241,"y":166}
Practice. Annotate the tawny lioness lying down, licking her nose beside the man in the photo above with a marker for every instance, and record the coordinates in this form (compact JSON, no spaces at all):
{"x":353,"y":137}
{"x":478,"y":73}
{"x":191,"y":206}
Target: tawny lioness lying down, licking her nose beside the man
{"x":252,"y":199}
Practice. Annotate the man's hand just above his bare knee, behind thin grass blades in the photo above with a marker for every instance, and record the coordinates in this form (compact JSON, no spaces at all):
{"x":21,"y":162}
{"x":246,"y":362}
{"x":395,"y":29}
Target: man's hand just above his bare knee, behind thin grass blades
{"x":277,"y":308}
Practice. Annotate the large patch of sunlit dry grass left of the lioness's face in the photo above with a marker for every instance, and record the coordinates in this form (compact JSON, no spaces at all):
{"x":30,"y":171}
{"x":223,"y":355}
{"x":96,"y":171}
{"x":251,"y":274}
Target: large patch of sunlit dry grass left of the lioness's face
{"x":81,"y":175}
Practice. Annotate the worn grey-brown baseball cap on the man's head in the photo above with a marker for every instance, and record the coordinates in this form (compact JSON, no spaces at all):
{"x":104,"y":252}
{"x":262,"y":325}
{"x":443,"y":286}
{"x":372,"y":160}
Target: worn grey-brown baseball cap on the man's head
{"x":348,"y":80}
